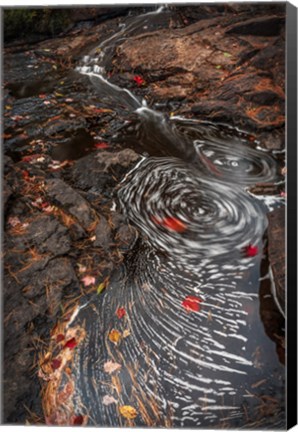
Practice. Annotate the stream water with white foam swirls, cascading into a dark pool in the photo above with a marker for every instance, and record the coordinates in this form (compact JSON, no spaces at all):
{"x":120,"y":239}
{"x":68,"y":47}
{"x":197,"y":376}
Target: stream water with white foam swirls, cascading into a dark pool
{"x":213,"y":367}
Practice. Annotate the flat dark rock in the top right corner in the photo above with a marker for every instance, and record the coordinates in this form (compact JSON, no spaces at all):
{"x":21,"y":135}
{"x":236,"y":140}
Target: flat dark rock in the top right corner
{"x":263,"y":26}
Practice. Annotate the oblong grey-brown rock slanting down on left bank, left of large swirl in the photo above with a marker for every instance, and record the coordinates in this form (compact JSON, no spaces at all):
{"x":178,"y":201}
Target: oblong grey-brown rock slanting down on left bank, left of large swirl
{"x":69,"y":199}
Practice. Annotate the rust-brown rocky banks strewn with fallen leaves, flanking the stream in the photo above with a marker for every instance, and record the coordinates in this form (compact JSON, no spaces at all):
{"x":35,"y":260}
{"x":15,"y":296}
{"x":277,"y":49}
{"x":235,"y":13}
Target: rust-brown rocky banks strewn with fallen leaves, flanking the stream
{"x":62,"y":161}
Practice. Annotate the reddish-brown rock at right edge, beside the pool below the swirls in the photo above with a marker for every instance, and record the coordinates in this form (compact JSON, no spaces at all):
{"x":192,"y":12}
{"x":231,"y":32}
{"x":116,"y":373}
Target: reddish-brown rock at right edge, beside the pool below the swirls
{"x":276,"y":247}
